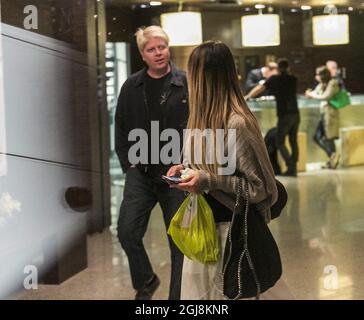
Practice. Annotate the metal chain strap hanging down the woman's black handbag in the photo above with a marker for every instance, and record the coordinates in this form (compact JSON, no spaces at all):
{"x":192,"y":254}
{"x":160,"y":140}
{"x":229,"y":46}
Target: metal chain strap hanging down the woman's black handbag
{"x":245,"y":252}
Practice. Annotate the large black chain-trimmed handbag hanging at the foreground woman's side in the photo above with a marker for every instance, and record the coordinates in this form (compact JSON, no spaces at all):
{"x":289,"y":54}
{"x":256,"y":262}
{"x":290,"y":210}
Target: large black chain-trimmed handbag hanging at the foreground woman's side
{"x":251,"y":262}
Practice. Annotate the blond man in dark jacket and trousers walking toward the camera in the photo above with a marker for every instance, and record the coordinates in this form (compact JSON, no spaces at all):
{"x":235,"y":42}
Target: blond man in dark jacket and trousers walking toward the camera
{"x":157,"y":94}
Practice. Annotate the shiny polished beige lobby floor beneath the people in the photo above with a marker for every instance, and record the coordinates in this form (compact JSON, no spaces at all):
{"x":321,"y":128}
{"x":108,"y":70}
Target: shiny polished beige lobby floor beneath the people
{"x":320,"y":235}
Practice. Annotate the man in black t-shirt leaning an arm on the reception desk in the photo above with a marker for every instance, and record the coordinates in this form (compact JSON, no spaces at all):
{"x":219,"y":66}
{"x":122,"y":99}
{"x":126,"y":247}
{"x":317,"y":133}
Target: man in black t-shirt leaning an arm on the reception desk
{"x":284,"y":88}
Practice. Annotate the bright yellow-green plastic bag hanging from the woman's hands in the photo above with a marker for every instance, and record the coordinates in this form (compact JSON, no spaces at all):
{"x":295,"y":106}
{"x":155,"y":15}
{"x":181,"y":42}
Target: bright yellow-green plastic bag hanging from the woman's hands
{"x":193,"y":230}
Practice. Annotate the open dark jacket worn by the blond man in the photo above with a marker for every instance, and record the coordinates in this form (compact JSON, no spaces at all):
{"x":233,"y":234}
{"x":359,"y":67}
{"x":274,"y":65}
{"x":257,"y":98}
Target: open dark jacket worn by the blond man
{"x":132,"y":111}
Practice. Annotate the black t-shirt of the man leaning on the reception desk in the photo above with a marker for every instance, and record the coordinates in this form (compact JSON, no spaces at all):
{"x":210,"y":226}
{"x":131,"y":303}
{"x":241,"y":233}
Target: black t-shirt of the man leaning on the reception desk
{"x":284,"y":89}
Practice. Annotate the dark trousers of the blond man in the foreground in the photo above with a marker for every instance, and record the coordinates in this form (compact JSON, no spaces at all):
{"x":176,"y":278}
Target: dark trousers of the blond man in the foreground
{"x":141,"y":194}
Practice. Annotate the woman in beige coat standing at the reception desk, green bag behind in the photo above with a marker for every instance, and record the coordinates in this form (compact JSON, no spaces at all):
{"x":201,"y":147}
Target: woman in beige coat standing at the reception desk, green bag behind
{"x":328,"y":127}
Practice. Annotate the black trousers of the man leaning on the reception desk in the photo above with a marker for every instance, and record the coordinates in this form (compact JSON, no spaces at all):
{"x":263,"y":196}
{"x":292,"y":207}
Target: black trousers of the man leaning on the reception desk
{"x":288,"y":126}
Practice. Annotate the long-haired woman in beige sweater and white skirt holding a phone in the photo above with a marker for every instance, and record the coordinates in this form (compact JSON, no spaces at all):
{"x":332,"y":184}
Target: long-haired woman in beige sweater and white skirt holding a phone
{"x":217,"y":103}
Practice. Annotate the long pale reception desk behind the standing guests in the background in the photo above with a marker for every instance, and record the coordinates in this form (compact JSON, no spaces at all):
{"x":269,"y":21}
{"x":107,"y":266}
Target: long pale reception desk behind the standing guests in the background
{"x":351,"y":116}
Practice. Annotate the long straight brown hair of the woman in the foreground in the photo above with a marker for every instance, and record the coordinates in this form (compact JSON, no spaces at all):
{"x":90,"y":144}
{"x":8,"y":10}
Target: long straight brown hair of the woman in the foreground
{"x":214,"y":93}
